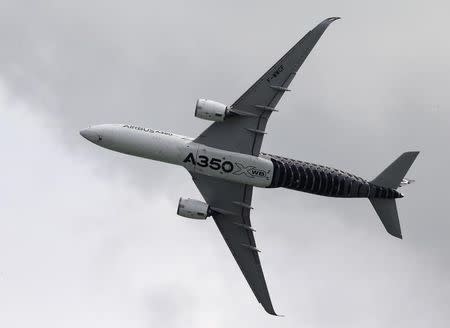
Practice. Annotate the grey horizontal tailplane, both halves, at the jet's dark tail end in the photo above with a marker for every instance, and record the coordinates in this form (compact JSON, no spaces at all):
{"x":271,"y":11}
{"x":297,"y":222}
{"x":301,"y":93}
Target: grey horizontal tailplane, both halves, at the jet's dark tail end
{"x":392,"y":177}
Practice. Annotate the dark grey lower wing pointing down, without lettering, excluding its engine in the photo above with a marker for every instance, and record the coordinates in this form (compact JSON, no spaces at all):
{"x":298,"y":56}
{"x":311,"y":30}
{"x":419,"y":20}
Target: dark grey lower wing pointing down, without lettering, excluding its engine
{"x":231,"y":202}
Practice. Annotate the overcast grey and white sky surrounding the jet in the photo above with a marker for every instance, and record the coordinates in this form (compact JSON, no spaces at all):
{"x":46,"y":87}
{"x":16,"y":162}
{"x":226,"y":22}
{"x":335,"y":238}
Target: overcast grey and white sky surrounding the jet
{"x":91,"y":238}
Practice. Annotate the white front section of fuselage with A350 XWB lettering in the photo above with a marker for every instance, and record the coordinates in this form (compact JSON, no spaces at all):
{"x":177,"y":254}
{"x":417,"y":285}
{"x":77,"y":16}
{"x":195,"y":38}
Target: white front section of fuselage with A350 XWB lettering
{"x":179,"y":150}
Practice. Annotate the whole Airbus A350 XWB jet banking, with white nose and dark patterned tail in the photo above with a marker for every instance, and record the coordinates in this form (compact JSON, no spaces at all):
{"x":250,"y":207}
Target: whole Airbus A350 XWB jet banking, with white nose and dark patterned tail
{"x":225,"y":163}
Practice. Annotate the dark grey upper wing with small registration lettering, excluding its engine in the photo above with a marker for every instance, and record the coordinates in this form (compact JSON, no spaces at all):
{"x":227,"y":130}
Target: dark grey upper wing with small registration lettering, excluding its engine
{"x":244,"y":131}
